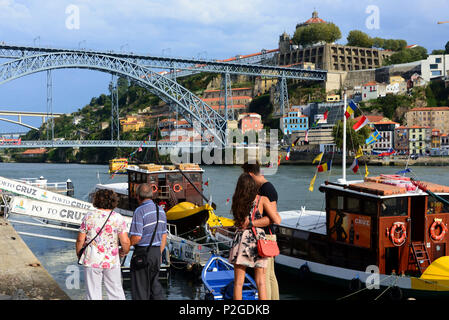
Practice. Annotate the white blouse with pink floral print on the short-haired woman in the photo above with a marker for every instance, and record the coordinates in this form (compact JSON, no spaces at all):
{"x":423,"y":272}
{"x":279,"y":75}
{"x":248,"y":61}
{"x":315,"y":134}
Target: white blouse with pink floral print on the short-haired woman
{"x":103,"y":252}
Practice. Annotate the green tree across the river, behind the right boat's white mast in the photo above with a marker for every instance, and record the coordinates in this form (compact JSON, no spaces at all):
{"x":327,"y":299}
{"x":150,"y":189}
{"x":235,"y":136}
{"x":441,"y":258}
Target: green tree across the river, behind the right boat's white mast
{"x":353,"y":139}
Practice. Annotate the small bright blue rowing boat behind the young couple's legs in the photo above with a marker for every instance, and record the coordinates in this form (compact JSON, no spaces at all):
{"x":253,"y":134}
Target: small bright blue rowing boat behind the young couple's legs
{"x":218,"y":278}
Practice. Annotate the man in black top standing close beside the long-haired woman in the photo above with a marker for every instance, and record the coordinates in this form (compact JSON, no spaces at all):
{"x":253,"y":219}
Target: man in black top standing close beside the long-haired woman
{"x":266,"y":189}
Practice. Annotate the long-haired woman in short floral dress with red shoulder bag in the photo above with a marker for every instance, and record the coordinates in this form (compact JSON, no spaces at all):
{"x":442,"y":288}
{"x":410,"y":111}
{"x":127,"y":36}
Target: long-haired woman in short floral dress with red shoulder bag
{"x":244,"y":252}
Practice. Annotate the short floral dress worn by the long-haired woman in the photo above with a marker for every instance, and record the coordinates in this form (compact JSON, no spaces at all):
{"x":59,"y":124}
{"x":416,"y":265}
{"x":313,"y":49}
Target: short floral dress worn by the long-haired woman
{"x":244,"y":246}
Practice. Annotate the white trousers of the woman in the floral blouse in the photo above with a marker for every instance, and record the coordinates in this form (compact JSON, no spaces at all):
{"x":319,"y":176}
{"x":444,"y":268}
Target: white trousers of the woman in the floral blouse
{"x":112,"y":279}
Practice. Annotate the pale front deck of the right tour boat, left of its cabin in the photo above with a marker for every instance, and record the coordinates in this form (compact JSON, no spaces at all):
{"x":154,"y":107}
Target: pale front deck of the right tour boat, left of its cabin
{"x":307,"y":220}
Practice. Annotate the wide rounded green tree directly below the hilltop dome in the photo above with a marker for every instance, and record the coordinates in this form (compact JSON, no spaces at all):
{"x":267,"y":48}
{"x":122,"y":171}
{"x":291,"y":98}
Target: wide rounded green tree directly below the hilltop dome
{"x":313,"y":33}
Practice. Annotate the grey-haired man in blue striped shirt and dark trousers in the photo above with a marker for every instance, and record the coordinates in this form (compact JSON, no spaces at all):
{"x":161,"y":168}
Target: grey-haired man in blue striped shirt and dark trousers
{"x":145,"y":281}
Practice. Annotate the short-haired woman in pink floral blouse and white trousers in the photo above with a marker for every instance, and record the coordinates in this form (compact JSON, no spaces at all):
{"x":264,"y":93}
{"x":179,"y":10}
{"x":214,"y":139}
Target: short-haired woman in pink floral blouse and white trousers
{"x":101,"y":257}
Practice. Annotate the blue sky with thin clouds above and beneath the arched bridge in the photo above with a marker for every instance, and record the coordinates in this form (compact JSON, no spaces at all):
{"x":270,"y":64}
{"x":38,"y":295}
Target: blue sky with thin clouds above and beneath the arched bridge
{"x":186,"y":28}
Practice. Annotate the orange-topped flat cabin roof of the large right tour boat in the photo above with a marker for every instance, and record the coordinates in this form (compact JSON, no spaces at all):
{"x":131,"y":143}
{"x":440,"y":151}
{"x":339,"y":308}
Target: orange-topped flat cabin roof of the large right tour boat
{"x":386,"y":186}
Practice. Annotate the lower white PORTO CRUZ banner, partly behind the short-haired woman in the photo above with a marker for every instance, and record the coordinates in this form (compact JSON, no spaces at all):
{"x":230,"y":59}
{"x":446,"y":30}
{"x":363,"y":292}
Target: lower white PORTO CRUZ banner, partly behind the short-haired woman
{"x":51,"y":211}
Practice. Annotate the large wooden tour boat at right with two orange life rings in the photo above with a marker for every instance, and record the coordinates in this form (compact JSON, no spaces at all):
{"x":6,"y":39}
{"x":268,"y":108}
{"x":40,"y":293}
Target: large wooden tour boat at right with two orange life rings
{"x":385,"y":232}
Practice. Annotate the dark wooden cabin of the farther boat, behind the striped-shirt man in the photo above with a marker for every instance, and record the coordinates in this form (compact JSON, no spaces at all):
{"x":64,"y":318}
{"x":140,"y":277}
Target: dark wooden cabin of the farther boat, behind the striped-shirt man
{"x":170,"y":184}
